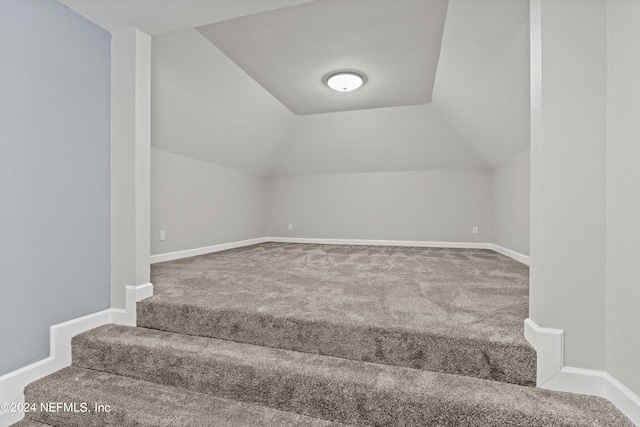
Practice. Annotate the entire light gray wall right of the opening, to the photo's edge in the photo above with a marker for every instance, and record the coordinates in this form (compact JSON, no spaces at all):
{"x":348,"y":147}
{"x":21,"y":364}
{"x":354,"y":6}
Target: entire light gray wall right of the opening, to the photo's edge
{"x":585,"y":202}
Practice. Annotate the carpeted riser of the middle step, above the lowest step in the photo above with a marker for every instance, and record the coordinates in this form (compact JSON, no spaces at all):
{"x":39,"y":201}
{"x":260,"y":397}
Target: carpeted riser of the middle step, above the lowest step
{"x":346,"y":400}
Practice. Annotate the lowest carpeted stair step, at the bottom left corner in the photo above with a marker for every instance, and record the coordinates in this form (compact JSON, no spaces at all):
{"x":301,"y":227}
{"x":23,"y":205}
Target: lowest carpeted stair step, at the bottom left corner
{"x":138,"y":403}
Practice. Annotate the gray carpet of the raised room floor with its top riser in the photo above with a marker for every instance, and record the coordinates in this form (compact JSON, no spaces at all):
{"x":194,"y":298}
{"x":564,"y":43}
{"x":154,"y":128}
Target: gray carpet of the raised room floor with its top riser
{"x":457,"y":311}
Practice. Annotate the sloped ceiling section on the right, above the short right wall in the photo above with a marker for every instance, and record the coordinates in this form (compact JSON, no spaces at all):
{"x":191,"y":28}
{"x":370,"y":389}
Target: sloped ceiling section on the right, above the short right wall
{"x":482,"y":84}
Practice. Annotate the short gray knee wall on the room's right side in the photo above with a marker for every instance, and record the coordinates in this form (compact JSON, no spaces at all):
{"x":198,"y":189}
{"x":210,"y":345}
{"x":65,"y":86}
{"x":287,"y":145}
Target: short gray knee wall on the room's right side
{"x":511,"y":203}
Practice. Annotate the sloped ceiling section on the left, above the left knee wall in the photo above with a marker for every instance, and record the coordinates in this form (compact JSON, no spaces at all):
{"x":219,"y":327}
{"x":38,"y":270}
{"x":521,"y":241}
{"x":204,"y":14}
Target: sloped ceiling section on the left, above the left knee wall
{"x":203,"y":106}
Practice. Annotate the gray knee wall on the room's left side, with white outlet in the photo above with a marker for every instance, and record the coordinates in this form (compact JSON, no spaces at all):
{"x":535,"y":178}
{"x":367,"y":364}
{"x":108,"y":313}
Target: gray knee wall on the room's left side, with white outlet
{"x":201,"y":204}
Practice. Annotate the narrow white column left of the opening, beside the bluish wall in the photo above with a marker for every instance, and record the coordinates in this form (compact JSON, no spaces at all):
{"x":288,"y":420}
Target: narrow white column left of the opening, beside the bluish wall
{"x":130,"y":161}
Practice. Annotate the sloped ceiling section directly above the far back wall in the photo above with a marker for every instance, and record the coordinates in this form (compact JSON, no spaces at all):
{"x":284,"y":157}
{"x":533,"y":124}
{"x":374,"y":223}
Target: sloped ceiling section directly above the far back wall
{"x":375,"y":140}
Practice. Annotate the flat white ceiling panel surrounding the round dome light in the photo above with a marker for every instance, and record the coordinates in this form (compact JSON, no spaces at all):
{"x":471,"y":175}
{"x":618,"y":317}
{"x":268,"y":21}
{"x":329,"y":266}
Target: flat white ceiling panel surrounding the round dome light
{"x":289,"y":51}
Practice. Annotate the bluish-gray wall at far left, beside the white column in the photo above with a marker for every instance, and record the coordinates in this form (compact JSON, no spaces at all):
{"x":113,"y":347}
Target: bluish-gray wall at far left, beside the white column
{"x":54,"y":174}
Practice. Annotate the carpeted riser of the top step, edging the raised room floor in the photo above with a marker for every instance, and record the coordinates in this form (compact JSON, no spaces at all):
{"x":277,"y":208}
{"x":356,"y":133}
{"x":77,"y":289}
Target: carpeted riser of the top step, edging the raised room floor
{"x":514,"y":364}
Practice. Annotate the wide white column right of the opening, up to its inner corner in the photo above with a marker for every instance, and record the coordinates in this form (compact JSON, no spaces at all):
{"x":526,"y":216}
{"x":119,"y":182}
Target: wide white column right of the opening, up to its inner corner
{"x":568,"y":174}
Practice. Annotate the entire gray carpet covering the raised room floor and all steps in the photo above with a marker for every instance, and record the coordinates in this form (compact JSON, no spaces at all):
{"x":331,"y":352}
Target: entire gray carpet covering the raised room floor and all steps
{"x":249,"y":337}
